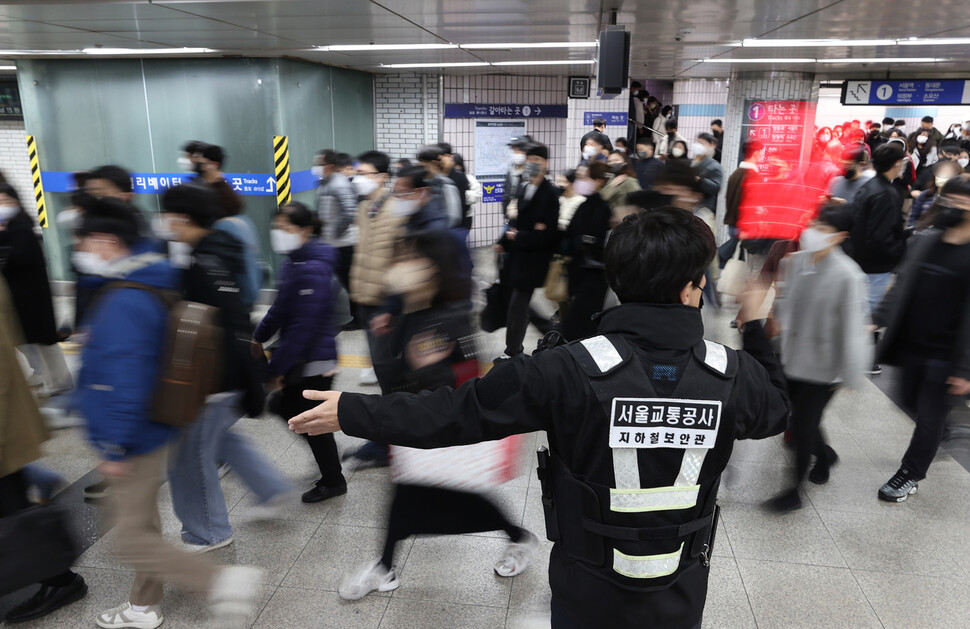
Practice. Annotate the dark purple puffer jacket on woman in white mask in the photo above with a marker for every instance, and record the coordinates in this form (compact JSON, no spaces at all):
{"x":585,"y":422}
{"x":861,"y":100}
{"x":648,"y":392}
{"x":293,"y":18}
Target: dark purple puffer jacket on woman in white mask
{"x":302,"y":312}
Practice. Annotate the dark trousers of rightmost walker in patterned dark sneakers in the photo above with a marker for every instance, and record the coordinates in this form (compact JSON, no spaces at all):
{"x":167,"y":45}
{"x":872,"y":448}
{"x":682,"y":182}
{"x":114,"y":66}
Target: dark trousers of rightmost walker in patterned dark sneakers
{"x":924,"y":394}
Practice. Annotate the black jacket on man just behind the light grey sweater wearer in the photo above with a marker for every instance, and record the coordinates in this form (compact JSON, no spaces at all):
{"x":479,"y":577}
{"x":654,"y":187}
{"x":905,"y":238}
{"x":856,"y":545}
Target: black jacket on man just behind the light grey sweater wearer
{"x":877,"y":241}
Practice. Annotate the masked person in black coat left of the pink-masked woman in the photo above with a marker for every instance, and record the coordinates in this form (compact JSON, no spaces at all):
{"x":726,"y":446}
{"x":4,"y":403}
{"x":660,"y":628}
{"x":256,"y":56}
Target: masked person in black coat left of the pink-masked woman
{"x":529,"y":242}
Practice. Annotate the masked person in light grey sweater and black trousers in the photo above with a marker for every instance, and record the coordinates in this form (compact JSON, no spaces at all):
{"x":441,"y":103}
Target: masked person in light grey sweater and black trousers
{"x":821,"y":294}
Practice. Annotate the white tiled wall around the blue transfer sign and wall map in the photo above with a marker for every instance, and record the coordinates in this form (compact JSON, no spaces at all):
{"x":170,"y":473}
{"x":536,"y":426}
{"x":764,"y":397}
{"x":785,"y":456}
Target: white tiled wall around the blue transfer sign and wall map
{"x":500,"y":89}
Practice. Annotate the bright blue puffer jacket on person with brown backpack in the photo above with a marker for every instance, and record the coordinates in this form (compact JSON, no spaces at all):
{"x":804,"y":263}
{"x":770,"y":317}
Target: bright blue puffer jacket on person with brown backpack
{"x":122,"y":359}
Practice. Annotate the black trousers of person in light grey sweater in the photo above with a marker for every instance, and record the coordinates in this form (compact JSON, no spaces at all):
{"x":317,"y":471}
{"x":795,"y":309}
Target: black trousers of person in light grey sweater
{"x":808,"y":400}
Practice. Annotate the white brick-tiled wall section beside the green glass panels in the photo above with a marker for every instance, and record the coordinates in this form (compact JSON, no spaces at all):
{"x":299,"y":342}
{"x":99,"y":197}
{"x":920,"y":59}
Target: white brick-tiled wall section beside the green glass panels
{"x":406,"y":112}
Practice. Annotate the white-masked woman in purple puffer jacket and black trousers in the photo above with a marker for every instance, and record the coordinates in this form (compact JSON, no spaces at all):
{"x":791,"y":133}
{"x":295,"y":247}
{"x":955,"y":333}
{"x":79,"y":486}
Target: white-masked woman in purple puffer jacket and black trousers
{"x":306,"y":355}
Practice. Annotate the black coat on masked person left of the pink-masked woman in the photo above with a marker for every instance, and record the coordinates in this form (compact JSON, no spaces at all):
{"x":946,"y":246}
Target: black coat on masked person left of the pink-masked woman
{"x":529,"y":253}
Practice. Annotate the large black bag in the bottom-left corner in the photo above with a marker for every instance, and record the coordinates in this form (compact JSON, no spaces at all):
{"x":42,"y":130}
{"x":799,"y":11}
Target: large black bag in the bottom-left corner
{"x":35,"y":544}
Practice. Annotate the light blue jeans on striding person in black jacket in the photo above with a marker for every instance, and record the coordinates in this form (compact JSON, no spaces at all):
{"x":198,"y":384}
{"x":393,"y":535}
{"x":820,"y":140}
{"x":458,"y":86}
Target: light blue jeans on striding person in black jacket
{"x":194,"y":476}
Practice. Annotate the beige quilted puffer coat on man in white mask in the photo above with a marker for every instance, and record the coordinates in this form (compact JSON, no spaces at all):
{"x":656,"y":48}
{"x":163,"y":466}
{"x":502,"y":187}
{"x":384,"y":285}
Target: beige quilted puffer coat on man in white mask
{"x":375,"y":251}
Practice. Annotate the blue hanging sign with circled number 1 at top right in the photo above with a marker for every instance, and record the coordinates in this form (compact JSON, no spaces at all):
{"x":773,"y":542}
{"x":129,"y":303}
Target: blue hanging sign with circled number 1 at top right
{"x":929,"y":92}
